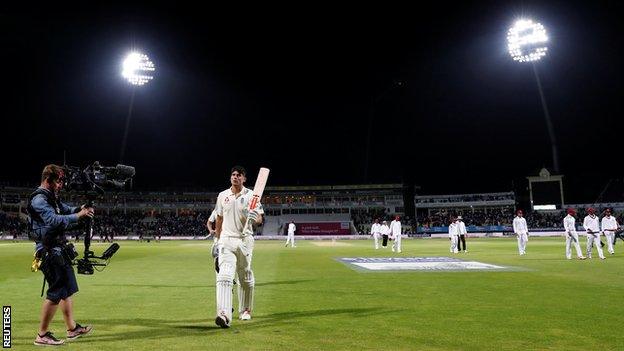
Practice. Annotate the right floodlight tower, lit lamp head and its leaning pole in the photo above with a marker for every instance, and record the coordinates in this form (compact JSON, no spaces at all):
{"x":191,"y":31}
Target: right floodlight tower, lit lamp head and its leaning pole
{"x":527,"y":42}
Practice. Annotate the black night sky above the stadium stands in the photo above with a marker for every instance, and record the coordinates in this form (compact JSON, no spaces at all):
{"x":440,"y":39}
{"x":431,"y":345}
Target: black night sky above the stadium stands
{"x":293,"y":88}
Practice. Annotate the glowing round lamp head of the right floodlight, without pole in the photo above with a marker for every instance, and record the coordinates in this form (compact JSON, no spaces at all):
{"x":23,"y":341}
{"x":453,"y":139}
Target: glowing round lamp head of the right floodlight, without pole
{"x":526,"y":41}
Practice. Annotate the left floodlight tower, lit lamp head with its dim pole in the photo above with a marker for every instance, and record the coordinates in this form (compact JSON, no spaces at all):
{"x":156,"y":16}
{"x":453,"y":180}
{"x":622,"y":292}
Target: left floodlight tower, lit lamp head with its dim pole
{"x":138,"y":70}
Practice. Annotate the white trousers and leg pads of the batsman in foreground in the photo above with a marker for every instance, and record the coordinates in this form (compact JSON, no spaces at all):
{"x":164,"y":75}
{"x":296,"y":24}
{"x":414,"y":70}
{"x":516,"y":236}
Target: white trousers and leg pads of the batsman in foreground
{"x":235,"y":258}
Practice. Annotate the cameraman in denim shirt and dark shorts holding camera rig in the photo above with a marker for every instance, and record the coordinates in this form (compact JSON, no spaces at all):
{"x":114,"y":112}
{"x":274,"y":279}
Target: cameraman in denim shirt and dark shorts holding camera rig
{"x":49,"y":218}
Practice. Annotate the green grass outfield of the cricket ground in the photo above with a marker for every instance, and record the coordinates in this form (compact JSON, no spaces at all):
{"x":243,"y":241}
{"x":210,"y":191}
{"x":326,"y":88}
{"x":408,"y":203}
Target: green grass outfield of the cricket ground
{"x":161,"y":296}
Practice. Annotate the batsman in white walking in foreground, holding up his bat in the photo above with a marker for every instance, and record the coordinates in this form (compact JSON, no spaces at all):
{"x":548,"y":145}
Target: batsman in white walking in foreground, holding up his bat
{"x":235,"y":248}
